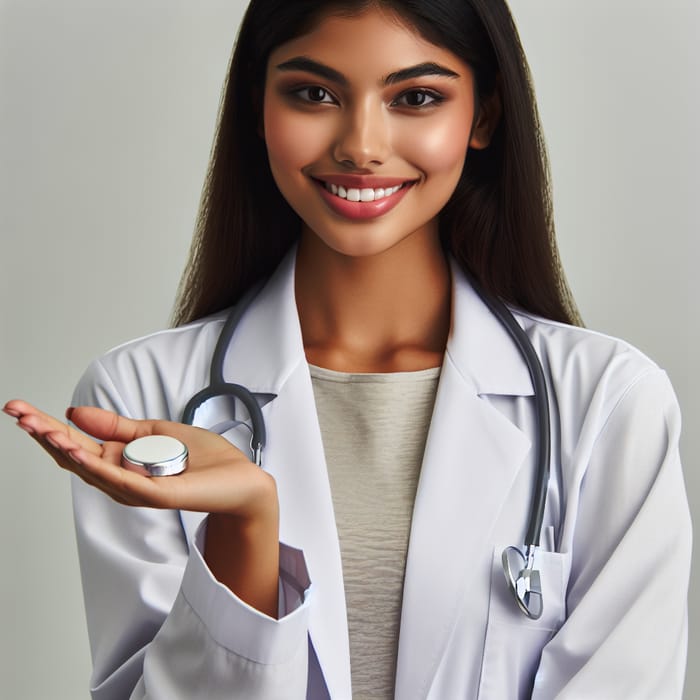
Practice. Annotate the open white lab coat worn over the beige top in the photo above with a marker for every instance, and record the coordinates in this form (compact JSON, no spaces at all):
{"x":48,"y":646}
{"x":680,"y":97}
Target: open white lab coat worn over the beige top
{"x":616,"y":534}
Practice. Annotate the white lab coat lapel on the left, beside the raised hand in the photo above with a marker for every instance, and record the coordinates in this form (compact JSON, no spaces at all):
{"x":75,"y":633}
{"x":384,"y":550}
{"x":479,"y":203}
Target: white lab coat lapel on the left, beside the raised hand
{"x":267,"y":356}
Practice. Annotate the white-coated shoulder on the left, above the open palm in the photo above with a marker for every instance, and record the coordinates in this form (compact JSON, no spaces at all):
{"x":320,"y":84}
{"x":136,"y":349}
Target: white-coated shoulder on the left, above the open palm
{"x":152,"y":376}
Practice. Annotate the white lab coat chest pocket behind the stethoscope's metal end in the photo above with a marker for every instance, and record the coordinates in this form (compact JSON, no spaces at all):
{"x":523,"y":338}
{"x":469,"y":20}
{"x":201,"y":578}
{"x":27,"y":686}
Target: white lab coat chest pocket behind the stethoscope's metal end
{"x":513,"y":642}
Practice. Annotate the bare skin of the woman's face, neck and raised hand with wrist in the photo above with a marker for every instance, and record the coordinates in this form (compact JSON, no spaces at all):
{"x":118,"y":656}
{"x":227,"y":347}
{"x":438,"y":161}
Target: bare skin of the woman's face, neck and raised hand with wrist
{"x":366,"y":102}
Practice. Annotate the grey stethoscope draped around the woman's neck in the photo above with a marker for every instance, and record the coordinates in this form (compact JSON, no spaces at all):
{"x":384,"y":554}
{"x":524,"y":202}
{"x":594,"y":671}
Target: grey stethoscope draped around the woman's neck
{"x":518,"y":562}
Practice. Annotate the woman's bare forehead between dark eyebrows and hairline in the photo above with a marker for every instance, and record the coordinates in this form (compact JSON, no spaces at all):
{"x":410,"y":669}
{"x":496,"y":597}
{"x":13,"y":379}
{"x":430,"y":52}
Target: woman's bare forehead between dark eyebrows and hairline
{"x":366,"y":43}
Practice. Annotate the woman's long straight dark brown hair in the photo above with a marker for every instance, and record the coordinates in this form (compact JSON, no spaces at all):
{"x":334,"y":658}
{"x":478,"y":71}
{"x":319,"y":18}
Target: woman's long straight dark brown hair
{"x":499,"y":222}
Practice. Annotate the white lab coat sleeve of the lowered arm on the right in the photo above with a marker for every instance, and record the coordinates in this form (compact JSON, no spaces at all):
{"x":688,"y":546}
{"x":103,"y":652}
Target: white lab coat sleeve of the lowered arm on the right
{"x":626,"y":629}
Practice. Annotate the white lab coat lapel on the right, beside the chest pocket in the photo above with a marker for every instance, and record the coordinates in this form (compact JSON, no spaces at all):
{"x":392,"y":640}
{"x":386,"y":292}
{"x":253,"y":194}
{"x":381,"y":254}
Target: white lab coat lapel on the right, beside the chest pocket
{"x":471,"y":458}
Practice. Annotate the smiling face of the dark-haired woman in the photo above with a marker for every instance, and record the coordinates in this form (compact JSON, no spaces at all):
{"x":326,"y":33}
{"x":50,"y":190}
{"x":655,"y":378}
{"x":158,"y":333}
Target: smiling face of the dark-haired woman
{"x":367,"y":126}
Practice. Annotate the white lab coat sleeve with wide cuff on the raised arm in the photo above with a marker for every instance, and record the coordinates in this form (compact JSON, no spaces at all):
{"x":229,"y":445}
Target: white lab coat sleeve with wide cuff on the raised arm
{"x":160,"y":625}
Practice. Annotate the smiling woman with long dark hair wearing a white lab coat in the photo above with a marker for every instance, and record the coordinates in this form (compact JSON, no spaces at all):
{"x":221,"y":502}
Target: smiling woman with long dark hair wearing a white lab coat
{"x":368,"y":155}
